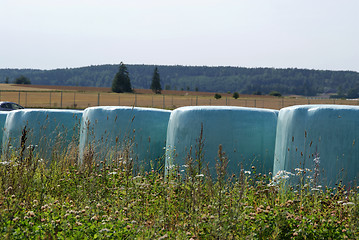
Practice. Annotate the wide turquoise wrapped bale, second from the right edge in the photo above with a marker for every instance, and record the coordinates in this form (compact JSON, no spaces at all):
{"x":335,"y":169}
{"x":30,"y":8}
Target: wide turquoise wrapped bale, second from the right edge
{"x":247,"y":136}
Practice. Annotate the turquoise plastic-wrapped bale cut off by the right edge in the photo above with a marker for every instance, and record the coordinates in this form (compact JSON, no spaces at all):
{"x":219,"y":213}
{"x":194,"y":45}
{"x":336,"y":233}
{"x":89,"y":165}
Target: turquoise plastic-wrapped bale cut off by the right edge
{"x":320,"y":139}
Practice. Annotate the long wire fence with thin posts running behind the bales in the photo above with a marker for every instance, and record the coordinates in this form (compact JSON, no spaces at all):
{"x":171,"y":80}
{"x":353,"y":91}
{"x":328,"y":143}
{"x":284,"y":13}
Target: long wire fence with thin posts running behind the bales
{"x":67,"y":99}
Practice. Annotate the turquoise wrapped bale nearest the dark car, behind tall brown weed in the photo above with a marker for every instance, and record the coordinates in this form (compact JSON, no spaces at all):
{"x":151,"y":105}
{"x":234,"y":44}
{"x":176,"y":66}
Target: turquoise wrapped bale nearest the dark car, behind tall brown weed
{"x":50,"y":132}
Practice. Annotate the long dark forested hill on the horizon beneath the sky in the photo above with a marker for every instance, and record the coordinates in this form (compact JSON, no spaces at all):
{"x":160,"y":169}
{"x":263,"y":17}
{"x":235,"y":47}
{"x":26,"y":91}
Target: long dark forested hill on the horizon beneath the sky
{"x":201,"y":78}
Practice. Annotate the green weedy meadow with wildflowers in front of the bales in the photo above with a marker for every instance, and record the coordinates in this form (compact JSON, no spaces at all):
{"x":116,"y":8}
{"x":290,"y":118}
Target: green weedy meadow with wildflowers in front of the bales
{"x":62,"y":200}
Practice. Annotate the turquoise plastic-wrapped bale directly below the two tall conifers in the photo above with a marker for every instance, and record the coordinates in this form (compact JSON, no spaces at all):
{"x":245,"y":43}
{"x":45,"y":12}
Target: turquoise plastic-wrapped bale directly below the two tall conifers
{"x":108,"y":132}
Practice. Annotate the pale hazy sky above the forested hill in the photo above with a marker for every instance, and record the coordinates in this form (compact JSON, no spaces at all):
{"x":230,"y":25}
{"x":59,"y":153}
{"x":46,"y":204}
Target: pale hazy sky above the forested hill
{"x":48,"y":34}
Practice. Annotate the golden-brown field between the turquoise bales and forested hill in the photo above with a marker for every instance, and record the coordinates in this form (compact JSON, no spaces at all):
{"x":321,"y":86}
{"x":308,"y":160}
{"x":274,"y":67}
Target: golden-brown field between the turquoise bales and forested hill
{"x":35,"y":96}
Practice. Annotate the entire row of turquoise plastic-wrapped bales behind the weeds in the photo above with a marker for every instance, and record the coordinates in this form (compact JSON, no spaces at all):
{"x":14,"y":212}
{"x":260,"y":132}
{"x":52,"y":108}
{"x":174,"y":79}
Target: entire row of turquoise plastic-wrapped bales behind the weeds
{"x":316,"y":139}
